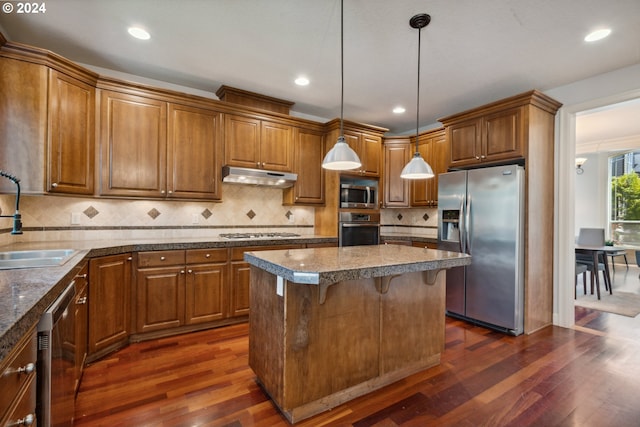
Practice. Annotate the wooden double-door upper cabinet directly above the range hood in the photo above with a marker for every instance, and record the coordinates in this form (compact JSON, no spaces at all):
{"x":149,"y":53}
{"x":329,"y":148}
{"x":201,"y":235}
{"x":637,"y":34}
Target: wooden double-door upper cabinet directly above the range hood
{"x":258,"y":144}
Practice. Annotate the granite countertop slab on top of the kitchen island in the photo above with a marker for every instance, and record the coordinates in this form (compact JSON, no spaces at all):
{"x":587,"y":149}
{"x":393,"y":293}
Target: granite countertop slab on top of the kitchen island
{"x":323,"y":266}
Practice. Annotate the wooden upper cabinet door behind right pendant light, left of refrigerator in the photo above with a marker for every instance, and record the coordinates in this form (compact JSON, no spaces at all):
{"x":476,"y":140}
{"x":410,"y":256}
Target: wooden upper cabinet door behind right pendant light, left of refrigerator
{"x":434,"y":148}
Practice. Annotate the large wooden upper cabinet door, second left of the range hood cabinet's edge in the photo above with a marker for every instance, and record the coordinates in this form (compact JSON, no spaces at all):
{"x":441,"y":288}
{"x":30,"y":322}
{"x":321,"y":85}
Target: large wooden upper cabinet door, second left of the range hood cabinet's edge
{"x":194,"y":153}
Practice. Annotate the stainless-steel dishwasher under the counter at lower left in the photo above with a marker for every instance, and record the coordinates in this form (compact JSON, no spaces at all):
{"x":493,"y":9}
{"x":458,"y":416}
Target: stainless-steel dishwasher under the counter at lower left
{"x":56,"y":362}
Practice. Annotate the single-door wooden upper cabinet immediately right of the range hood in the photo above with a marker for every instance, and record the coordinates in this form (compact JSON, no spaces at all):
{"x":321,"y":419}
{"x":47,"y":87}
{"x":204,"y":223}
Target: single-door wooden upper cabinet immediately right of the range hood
{"x":308,"y":155}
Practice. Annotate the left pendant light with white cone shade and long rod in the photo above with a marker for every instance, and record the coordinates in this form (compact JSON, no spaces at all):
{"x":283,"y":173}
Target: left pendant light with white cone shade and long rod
{"x":341,"y":156}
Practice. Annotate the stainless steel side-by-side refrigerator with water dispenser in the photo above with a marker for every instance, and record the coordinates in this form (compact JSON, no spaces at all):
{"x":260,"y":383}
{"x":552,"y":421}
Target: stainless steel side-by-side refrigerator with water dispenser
{"x":481,"y":212}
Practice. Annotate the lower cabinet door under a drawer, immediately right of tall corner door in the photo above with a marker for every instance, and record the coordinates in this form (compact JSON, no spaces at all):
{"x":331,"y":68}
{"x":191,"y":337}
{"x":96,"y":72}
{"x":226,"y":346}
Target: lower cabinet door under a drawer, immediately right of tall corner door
{"x":159,"y":298}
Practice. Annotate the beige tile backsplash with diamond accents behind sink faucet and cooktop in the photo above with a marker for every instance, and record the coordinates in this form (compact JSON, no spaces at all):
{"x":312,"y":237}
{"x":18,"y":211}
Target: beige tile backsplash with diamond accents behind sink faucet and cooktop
{"x":47,"y":217}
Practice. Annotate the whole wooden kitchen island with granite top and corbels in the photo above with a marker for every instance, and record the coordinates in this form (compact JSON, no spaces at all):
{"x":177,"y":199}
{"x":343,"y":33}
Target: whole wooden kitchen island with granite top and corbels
{"x":330,"y":324}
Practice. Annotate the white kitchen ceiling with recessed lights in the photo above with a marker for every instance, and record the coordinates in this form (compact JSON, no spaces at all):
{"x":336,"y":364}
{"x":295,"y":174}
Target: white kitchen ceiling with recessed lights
{"x":473,"y":52}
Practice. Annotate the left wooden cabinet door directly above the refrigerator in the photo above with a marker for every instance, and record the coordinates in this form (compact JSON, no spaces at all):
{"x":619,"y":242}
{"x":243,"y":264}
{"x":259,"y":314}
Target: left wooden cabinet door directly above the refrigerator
{"x":465,"y":140}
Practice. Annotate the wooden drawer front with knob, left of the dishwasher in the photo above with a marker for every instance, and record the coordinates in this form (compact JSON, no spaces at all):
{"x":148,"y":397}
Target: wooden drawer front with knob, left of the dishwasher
{"x":15,"y":373}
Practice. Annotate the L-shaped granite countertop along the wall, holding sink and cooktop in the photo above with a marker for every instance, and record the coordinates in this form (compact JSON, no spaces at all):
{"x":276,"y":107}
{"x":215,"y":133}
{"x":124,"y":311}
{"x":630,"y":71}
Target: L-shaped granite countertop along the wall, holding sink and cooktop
{"x":26,"y":293}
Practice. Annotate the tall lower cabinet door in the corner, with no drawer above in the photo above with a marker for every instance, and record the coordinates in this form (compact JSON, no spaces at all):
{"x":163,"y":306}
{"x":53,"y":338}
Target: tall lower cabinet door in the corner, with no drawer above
{"x":109,"y":302}
